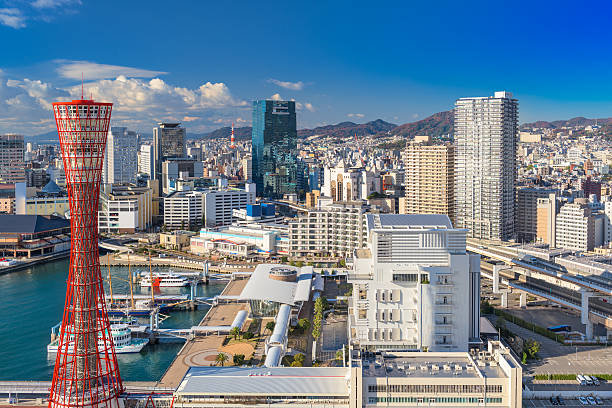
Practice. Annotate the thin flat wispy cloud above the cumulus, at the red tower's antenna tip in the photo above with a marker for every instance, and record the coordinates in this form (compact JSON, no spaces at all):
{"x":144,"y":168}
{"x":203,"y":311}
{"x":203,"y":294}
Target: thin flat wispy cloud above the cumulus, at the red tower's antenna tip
{"x":93,"y":71}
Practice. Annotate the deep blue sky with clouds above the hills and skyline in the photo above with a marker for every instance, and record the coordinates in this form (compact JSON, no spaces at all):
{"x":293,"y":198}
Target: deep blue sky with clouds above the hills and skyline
{"x":203,"y":62}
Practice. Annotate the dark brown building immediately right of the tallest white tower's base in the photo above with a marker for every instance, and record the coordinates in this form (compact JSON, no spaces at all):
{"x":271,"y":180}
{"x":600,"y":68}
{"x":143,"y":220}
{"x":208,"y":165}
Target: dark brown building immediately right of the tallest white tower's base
{"x":527,"y":211}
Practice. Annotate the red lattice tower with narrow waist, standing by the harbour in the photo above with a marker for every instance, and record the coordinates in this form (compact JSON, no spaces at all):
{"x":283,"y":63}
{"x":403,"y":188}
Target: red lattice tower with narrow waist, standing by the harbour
{"x":86,"y":373}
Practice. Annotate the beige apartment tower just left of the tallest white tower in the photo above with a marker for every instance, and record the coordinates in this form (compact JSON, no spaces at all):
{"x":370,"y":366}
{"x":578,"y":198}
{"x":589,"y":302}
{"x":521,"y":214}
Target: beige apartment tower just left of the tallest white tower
{"x":429,"y":178}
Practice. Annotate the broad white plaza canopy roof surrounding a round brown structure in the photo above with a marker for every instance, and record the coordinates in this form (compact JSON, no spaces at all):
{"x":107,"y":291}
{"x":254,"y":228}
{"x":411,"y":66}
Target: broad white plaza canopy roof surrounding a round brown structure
{"x":261,"y":287}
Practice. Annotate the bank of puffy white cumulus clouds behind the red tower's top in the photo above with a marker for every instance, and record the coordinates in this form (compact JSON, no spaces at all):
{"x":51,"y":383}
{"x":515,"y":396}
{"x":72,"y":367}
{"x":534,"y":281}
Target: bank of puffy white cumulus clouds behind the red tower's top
{"x":25,"y":104}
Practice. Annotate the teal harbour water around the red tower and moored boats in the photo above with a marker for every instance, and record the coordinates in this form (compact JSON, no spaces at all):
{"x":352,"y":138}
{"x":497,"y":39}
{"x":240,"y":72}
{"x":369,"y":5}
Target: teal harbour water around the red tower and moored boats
{"x":31,"y":302}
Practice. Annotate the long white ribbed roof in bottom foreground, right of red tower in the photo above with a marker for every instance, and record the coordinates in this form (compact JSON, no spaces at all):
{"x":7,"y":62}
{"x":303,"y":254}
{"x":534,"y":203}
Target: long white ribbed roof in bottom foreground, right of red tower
{"x":289,"y":381}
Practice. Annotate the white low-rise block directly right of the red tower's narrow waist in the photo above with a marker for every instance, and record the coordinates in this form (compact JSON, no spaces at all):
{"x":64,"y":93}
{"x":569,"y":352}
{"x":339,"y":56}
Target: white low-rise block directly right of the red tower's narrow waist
{"x":125,"y":209}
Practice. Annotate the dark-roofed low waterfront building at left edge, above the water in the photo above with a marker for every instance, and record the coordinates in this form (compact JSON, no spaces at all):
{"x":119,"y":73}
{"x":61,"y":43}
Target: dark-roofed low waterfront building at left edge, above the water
{"x":33,"y":235}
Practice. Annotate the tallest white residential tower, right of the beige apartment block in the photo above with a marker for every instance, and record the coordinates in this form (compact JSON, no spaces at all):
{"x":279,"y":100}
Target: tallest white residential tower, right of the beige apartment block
{"x":486,"y":138}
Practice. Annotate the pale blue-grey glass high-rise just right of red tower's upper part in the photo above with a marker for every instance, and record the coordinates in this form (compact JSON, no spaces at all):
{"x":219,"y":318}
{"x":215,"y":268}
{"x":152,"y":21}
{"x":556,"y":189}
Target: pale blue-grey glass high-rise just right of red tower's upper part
{"x":121,"y":156}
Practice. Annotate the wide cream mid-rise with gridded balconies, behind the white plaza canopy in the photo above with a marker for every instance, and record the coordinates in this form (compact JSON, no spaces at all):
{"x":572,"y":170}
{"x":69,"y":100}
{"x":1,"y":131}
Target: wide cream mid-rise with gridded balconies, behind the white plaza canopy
{"x":335,"y":229}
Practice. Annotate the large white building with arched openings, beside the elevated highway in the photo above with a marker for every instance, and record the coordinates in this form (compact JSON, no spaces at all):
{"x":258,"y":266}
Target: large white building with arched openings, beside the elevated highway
{"x":415,"y":287}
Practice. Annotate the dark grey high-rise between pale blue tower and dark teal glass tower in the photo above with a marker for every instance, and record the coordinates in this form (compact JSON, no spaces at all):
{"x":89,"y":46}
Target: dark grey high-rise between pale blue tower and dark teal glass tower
{"x":168,"y":142}
